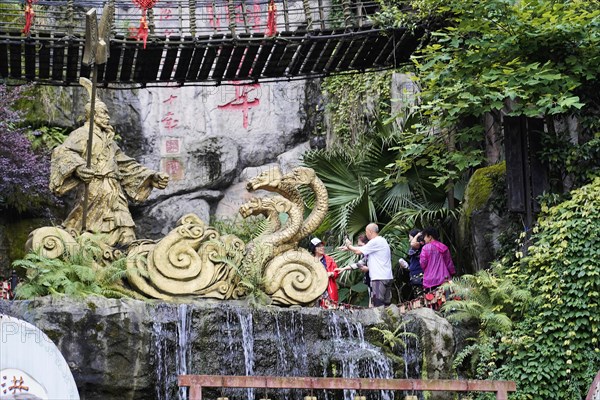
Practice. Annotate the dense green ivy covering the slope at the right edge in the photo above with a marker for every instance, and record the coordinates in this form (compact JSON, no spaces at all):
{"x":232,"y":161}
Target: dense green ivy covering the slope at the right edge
{"x":554,"y":351}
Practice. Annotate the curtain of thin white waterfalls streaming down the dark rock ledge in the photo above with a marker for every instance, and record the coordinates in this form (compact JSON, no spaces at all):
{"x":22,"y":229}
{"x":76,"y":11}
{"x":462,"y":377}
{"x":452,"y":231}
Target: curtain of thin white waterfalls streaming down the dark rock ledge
{"x":283,"y":342}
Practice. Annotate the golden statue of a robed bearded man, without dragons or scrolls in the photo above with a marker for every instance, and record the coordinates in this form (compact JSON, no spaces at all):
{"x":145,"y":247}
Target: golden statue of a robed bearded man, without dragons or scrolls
{"x":113,"y":179}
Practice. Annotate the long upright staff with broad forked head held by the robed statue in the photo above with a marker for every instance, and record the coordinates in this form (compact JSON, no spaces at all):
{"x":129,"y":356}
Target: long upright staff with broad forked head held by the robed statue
{"x":96,"y":51}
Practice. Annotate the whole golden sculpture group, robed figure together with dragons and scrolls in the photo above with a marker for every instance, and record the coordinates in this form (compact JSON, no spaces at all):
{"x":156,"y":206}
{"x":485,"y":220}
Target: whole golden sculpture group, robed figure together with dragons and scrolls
{"x":193,"y":259}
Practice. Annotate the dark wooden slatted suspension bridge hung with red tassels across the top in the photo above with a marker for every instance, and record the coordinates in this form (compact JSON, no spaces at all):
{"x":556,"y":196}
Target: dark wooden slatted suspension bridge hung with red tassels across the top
{"x":194,"y":42}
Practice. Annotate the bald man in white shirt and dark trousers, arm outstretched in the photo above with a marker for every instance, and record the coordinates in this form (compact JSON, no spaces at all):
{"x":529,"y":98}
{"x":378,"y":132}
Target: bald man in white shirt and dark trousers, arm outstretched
{"x":379,"y":263}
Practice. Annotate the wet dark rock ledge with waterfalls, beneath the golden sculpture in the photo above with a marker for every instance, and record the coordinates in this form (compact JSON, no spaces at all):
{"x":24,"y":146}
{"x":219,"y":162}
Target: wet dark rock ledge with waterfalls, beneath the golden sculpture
{"x":121,"y":349}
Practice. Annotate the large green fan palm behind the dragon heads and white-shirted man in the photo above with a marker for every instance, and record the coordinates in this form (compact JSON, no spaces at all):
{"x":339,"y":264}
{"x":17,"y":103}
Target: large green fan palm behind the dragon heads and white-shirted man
{"x":365,"y":185}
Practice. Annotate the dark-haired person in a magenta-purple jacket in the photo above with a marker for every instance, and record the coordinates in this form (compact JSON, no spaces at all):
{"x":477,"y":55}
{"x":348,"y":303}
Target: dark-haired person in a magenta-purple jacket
{"x":435,"y":260}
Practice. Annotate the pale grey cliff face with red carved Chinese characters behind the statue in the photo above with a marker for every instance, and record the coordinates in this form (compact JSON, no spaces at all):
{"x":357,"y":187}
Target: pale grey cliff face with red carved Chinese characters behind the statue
{"x":208,"y":139}
